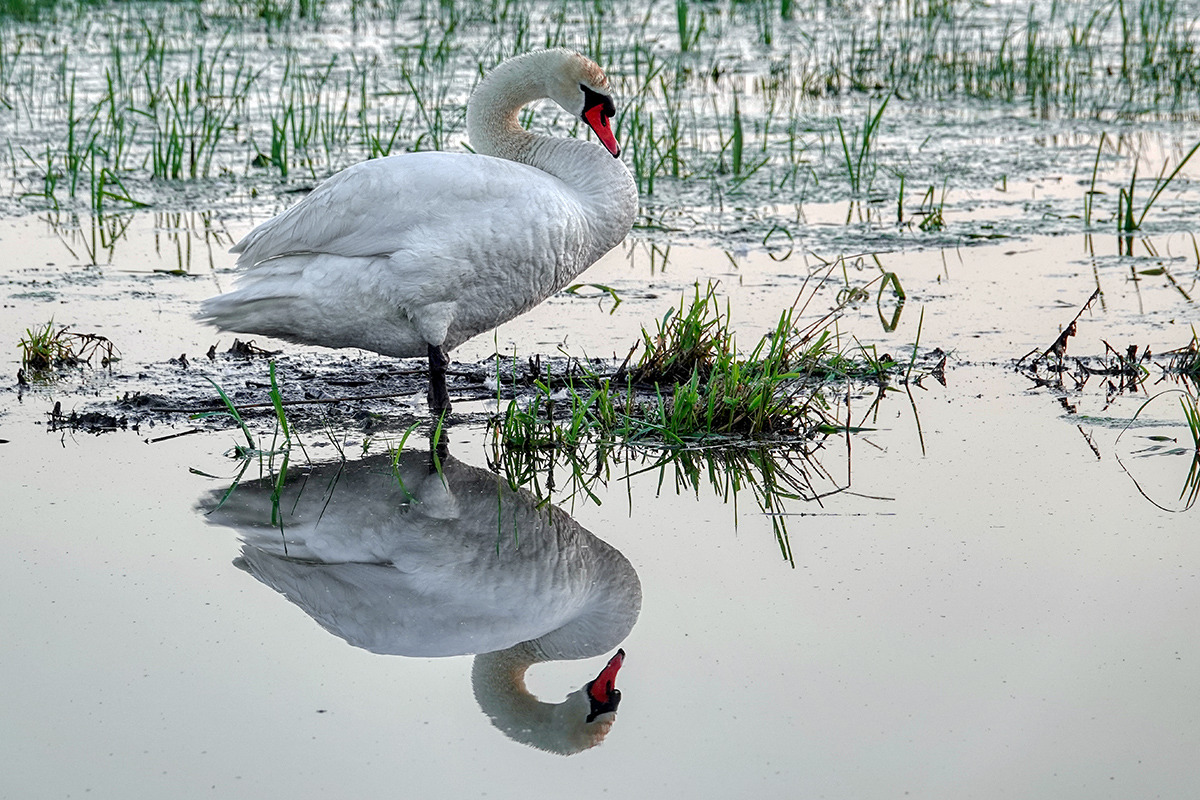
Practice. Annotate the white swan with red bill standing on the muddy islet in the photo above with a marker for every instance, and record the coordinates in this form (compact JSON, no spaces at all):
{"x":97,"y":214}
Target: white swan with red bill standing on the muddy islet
{"x":413,"y":255}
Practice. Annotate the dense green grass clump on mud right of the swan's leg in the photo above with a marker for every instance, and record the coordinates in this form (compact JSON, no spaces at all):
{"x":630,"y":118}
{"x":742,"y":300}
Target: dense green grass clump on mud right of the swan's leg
{"x":693,"y":383}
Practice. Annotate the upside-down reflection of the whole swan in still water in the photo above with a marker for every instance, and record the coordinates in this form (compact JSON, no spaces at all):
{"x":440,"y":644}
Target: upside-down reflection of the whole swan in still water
{"x":419,"y":564}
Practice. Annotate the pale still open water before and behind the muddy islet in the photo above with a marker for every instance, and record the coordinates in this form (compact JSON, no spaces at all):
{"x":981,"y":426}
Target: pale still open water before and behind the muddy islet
{"x":989,"y":609}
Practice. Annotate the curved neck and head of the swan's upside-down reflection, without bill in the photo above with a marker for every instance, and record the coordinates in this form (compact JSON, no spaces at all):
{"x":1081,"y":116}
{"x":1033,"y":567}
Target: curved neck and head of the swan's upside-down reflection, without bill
{"x":499,"y":681}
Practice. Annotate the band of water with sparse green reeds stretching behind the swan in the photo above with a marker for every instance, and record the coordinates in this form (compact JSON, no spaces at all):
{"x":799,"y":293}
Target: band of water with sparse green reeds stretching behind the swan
{"x":740,"y":119}
